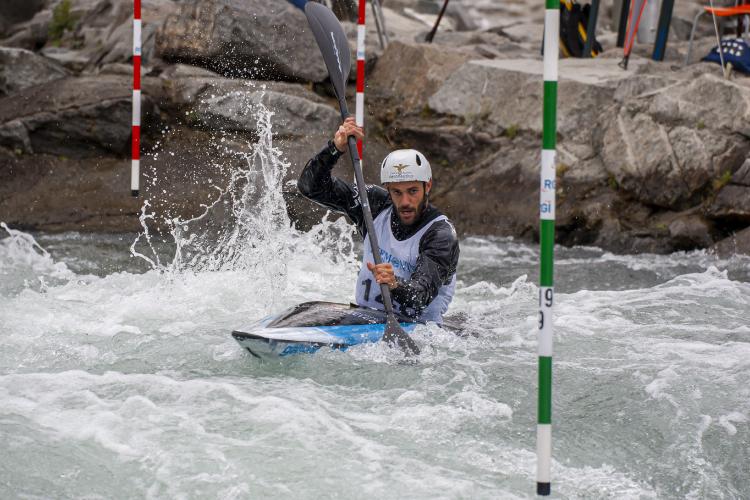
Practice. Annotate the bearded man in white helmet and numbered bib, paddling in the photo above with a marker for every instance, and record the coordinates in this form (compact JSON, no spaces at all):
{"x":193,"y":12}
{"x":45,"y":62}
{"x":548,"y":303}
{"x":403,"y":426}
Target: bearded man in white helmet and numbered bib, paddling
{"x":418,"y":244}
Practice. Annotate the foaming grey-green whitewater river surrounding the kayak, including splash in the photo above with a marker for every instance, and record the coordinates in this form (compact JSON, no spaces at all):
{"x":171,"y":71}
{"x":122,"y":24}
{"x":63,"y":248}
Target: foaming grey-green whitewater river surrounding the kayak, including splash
{"x":119,"y":377}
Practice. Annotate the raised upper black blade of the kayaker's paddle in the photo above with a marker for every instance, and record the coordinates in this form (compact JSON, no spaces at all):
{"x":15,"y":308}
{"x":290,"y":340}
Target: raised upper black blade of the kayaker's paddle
{"x":332,"y":43}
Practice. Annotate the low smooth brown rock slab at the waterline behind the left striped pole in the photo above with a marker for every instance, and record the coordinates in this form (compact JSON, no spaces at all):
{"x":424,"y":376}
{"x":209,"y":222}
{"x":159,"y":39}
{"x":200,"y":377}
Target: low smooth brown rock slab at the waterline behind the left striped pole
{"x":54,"y":193}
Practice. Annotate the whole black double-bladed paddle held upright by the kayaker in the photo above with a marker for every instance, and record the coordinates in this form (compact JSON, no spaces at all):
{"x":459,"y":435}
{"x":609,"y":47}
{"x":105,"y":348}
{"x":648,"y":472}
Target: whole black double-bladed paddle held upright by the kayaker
{"x":335,"y":49}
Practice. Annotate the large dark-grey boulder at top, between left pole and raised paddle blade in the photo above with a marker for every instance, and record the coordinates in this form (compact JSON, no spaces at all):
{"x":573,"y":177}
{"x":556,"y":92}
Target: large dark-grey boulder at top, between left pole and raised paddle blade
{"x":255,"y":38}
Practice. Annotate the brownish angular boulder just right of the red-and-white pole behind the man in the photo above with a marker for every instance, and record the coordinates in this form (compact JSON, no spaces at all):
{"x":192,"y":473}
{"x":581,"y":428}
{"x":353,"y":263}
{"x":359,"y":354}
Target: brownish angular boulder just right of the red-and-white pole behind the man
{"x":407,"y":74}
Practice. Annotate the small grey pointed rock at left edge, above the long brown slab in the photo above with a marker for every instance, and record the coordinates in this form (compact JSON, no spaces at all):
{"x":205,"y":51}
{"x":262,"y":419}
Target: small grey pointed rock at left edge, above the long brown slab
{"x":20,"y":68}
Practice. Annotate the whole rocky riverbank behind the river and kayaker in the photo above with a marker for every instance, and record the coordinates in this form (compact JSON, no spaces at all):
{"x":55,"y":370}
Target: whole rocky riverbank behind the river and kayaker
{"x":653,"y":159}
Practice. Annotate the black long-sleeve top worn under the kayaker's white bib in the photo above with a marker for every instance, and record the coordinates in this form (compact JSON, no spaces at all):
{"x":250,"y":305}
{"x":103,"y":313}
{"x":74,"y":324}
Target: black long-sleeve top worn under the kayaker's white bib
{"x":438,"y":247}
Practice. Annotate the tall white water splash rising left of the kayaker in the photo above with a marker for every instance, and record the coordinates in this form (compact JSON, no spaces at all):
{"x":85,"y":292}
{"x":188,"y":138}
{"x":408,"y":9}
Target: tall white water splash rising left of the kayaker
{"x":246,"y":228}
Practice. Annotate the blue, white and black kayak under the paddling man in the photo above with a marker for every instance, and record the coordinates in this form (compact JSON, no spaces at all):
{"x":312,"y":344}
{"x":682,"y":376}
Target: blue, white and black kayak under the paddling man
{"x":307,"y":327}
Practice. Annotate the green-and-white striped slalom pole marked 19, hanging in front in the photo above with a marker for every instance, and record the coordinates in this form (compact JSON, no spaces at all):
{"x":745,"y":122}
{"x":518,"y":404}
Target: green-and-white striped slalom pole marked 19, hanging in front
{"x":546,"y":246}
